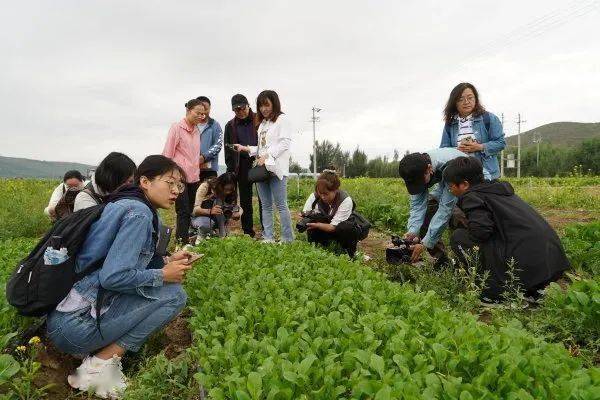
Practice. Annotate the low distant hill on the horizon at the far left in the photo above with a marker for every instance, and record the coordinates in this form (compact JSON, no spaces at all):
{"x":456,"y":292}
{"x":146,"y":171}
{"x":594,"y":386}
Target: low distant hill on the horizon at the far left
{"x":25,"y":168}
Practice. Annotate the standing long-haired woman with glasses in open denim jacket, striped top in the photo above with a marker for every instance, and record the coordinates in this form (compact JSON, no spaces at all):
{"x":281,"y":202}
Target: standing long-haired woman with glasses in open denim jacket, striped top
{"x":473,"y":130}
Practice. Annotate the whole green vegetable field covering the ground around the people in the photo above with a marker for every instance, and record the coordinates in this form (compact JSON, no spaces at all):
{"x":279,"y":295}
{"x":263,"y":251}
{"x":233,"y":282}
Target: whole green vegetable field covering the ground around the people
{"x":296,"y":322}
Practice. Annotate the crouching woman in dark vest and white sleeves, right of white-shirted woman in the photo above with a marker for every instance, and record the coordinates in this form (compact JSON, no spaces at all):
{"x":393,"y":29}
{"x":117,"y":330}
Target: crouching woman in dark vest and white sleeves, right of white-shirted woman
{"x":326,"y":215}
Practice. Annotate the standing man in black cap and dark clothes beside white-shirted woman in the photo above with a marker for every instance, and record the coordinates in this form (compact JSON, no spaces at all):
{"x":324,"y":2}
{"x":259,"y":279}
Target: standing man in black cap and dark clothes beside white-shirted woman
{"x":242,"y":130}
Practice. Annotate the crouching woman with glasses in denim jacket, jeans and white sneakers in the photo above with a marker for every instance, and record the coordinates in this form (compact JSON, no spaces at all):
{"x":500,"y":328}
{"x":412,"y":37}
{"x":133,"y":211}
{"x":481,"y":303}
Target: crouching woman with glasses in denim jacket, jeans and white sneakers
{"x":137,"y":299}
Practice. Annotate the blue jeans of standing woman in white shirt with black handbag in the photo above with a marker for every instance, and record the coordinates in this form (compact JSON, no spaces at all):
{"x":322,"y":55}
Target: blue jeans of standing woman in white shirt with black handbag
{"x":275,"y":190}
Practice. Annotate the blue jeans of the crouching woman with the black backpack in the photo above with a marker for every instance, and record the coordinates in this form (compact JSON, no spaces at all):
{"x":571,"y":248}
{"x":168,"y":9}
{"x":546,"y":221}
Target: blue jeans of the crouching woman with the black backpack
{"x":128,"y":322}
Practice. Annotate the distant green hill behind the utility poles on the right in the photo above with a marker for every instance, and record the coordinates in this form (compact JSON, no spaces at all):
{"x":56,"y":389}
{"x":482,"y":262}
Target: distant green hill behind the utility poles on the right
{"x":559,"y":134}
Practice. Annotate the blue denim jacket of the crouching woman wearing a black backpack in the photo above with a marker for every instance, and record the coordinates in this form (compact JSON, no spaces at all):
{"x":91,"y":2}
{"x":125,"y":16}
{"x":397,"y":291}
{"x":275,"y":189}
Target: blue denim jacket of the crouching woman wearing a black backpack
{"x":123,"y":236}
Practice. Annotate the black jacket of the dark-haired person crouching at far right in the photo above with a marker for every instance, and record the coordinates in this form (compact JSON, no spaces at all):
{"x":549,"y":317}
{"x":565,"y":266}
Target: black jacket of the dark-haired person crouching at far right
{"x":505,"y":227}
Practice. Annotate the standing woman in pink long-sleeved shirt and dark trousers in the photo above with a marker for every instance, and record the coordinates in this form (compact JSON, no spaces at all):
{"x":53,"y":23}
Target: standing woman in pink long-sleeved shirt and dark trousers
{"x":183,"y":147}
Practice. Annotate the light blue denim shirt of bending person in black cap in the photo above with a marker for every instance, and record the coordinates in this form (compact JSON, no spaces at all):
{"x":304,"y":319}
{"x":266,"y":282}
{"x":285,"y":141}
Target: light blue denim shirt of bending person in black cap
{"x":440,"y":192}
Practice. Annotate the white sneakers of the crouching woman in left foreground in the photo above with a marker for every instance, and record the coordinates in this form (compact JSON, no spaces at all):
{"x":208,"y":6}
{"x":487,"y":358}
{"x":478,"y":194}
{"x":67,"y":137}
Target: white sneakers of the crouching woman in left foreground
{"x":102,"y":377}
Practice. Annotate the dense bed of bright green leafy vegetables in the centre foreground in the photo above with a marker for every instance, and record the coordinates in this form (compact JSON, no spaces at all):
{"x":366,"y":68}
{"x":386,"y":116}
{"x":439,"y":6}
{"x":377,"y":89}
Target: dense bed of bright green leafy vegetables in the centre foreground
{"x":295,"y":323}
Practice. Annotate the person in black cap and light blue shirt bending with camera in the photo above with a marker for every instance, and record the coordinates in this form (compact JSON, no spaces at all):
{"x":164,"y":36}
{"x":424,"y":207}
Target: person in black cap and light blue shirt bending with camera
{"x":421,"y":172}
